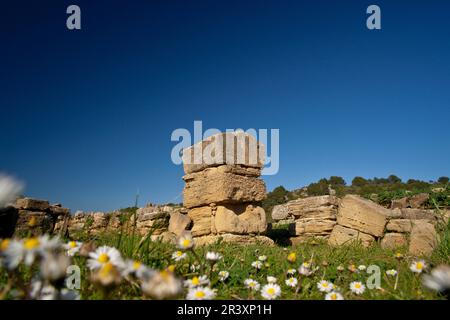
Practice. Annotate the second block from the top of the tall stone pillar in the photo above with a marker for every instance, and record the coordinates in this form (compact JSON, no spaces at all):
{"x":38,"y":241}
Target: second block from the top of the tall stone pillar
{"x":214,"y":185}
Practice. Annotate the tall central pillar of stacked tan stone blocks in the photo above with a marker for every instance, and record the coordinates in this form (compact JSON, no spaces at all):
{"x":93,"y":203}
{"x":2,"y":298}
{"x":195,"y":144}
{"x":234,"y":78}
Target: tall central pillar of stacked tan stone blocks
{"x":223,"y":191}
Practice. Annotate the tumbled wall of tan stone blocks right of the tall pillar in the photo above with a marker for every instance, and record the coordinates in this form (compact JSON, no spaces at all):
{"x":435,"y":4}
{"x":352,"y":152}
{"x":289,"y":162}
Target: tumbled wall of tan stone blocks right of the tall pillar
{"x":342,"y":221}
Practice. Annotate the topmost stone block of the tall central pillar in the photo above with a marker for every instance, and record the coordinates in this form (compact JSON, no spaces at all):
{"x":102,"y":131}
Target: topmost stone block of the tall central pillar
{"x":233,"y":148}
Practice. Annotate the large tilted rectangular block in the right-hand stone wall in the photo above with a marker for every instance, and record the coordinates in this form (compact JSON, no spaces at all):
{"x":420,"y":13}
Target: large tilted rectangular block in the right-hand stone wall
{"x":362,"y":215}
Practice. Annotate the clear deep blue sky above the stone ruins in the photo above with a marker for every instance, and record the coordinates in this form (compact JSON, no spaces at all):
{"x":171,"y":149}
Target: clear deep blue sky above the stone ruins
{"x":86,"y":116}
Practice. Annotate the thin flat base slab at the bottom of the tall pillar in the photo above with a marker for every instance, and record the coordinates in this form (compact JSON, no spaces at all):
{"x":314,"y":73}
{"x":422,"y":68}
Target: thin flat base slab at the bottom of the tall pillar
{"x":234,"y":239}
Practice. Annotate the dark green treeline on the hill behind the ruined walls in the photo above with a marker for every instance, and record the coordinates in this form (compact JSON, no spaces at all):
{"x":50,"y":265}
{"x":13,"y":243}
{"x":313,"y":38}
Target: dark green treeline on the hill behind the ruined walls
{"x":381,"y":190}
